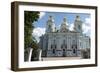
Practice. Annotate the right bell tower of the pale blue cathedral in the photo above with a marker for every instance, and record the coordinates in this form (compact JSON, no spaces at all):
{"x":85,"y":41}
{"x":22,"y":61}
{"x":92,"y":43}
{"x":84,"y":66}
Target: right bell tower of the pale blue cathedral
{"x":78,"y":24}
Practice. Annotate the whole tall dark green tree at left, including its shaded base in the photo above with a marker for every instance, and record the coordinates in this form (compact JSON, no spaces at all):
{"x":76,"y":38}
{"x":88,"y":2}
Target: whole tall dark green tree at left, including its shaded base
{"x":29,"y":18}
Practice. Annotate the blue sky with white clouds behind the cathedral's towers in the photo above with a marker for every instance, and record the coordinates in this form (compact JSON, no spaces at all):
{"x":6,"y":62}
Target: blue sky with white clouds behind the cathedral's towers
{"x":40,"y":25}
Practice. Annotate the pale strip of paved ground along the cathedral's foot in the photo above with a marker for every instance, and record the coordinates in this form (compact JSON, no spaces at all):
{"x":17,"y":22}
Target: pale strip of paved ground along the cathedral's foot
{"x":59,"y":58}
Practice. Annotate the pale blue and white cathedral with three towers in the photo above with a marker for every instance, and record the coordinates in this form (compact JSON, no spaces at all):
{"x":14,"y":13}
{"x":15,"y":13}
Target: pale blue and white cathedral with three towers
{"x":63,"y":42}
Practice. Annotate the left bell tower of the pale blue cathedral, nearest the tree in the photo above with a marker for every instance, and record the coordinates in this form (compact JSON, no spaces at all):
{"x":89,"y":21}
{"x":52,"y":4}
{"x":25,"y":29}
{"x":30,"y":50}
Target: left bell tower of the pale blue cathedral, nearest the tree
{"x":50,"y":26}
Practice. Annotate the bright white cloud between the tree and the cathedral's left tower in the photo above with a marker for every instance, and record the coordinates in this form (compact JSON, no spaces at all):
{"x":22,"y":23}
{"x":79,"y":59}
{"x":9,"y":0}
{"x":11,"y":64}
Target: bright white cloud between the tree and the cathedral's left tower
{"x":37,"y":32}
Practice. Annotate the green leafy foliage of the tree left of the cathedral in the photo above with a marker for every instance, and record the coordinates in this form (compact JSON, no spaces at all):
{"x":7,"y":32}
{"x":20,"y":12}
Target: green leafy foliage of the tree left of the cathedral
{"x":29,"y":18}
